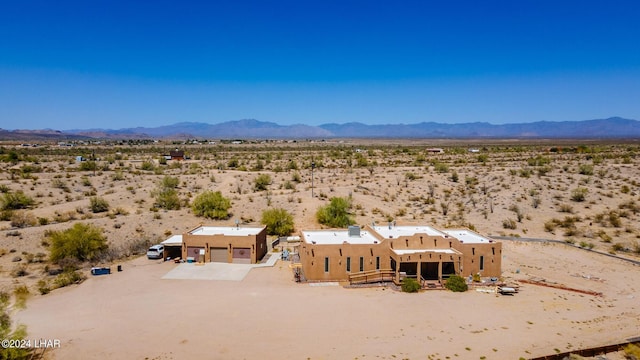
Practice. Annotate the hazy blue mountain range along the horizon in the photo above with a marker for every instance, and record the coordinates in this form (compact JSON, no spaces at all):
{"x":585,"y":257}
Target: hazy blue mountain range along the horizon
{"x":614,"y":127}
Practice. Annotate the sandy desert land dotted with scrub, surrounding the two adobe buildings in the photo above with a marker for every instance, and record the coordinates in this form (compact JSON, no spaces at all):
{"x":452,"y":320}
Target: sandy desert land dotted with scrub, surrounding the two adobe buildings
{"x":584,"y":194}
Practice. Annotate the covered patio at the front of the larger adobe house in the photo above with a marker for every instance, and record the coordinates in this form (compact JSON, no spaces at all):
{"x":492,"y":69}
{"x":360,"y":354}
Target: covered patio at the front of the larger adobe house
{"x":425,"y":264}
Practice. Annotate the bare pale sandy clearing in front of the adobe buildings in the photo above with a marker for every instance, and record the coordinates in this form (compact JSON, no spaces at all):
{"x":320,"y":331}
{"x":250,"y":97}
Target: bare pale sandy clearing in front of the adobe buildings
{"x":135,"y":314}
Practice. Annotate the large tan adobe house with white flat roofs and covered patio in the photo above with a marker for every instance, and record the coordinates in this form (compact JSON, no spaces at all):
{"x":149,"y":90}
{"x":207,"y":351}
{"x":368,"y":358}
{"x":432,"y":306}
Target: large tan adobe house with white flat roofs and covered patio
{"x":395,"y":252}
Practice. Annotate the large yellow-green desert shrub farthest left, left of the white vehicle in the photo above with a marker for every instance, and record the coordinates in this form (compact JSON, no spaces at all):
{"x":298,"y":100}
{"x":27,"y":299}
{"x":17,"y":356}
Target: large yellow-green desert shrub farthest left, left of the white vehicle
{"x":82,"y":242}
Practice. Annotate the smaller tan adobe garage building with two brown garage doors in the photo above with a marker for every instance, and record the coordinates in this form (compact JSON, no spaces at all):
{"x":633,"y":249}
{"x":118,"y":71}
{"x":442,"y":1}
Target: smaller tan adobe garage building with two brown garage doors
{"x":227,"y":244}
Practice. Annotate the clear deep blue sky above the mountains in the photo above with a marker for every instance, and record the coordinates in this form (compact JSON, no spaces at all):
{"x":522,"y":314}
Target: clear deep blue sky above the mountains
{"x":117,"y":64}
